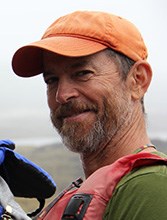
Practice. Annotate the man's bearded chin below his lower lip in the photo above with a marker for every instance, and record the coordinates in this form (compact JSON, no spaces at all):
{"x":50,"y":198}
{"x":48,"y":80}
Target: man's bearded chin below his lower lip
{"x":81,"y":137}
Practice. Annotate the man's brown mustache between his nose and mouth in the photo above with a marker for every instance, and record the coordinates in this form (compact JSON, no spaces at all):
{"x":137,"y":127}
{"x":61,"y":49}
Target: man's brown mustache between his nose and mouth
{"x":74,"y":107}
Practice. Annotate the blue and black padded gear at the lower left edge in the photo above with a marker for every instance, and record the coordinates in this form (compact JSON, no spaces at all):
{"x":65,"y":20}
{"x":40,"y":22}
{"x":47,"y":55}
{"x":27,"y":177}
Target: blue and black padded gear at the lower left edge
{"x":24,"y":178}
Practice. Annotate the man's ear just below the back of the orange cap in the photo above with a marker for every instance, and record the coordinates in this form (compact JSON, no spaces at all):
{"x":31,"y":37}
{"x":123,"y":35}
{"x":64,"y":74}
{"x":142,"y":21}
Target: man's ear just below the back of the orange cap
{"x":139,"y":79}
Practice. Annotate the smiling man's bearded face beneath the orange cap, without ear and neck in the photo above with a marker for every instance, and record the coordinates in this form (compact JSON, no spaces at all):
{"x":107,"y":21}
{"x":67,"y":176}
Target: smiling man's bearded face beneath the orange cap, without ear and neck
{"x":89,"y":103}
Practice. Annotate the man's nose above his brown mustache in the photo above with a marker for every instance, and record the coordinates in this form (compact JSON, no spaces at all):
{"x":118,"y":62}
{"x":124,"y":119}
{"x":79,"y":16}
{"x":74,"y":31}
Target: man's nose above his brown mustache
{"x":66,"y":91}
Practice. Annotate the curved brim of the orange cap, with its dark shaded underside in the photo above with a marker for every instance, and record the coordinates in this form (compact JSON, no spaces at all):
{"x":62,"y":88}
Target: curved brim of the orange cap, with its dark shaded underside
{"x":27,"y":61}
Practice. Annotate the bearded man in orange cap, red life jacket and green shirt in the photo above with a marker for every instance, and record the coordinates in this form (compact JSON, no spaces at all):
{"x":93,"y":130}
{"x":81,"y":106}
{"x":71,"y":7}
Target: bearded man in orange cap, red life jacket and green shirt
{"x":95,"y":68}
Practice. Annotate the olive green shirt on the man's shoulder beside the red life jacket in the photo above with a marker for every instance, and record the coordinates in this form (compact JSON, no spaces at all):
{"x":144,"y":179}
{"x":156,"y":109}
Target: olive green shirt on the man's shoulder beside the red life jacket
{"x":141,"y":193}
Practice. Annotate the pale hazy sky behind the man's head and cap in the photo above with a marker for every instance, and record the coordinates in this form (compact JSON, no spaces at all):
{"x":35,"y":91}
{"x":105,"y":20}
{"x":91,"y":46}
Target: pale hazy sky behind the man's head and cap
{"x":22,"y":22}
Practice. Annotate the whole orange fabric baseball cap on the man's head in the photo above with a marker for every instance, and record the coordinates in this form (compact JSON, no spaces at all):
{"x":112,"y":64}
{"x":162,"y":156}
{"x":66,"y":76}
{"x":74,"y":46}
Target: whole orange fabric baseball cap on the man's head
{"x":81,"y":33}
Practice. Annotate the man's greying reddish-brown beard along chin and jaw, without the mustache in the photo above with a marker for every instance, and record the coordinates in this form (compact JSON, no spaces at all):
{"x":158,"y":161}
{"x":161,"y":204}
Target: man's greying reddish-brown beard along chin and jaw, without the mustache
{"x":104,"y":129}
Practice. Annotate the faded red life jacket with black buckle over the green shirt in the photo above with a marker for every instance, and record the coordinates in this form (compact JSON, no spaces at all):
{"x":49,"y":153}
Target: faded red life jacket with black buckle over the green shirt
{"x":90,"y":200}
